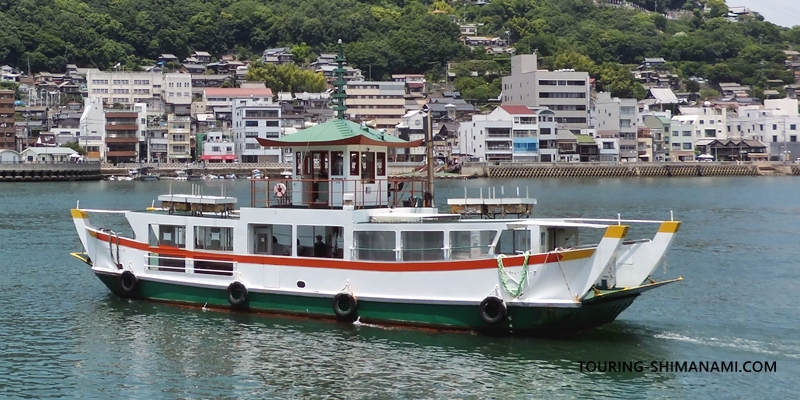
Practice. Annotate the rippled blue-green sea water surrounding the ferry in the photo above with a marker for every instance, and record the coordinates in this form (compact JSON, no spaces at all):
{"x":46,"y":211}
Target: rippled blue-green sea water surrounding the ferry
{"x":63,"y":335}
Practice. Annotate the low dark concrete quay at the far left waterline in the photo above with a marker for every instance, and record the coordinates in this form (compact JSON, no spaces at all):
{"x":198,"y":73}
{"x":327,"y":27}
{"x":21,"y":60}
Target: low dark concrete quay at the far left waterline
{"x":67,"y":171}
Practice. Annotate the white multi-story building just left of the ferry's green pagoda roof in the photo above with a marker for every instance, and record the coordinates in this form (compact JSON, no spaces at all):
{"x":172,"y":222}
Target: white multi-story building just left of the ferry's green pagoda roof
{"x":256,"y":119}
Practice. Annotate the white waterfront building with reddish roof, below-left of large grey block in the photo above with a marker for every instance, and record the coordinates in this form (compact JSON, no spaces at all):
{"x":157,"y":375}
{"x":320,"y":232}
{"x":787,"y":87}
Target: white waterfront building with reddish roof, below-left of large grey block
{"x":511,"y":133}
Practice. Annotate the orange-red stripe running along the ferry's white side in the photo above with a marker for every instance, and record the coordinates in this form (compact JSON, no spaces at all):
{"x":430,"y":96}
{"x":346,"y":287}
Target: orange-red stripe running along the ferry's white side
{"x":406,"y":266}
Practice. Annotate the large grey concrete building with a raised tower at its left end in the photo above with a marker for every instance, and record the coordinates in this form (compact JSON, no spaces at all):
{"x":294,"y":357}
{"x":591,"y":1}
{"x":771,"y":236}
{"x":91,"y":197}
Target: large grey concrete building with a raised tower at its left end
{"x":565,"y":92}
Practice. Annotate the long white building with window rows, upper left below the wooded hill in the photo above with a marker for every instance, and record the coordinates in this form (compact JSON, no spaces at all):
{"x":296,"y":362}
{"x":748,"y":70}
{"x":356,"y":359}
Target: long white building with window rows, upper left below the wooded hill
{"x":116,"y":87}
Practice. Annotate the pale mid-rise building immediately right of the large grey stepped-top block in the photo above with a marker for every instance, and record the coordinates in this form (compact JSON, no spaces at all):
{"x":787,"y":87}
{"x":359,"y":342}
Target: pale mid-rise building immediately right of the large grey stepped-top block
{"x":615,"y":117}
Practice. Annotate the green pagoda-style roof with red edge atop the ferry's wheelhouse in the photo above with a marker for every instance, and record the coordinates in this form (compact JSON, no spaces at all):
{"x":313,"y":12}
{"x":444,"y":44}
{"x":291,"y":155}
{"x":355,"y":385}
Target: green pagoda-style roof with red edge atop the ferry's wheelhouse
{"x":338,"y":132}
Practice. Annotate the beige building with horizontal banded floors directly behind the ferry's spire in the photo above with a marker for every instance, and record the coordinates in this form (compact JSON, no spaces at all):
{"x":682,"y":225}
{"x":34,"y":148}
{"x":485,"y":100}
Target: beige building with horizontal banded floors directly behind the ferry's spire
{"x":382,"y":102}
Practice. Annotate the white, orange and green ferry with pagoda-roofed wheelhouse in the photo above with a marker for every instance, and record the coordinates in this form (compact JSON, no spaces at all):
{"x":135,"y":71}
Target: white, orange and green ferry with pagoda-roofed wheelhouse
{"x":340,"y":239}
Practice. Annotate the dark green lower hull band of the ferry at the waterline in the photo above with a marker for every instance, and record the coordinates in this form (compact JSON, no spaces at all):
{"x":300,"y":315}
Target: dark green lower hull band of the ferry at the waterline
{"x":531,"y":320}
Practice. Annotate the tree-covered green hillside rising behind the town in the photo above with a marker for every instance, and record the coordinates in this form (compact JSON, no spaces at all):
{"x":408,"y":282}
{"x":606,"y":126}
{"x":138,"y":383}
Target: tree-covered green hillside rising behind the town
{"x":391,"y":36}
